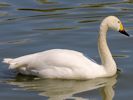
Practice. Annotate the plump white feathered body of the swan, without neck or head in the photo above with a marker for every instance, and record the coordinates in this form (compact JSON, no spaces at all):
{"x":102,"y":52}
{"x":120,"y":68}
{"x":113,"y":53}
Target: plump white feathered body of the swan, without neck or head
{"x":58,"y":63}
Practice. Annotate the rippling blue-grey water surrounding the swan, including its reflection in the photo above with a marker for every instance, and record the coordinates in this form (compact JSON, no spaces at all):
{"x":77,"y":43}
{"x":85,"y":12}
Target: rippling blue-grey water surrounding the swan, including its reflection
{"x":30,"y":26}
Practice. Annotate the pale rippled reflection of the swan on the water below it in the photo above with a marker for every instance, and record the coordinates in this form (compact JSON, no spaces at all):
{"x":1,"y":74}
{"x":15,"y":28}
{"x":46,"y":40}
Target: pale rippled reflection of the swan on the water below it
{"x":67,"y":89}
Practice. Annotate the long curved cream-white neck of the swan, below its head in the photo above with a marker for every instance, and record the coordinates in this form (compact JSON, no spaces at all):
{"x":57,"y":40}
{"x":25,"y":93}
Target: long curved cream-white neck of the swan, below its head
{"x":105,"y":54}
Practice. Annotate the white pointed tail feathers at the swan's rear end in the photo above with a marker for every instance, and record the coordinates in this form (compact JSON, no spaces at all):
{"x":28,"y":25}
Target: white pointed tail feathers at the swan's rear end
{"x":13,"y":64}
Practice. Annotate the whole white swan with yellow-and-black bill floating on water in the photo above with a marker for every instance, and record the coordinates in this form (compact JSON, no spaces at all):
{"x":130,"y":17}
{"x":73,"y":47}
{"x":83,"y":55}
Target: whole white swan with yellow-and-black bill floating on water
{"x":70,"y":64}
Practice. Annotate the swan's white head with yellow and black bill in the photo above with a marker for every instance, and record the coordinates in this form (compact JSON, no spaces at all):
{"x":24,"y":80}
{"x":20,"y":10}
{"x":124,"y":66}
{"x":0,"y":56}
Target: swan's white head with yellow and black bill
{"x":114,"y":23}
